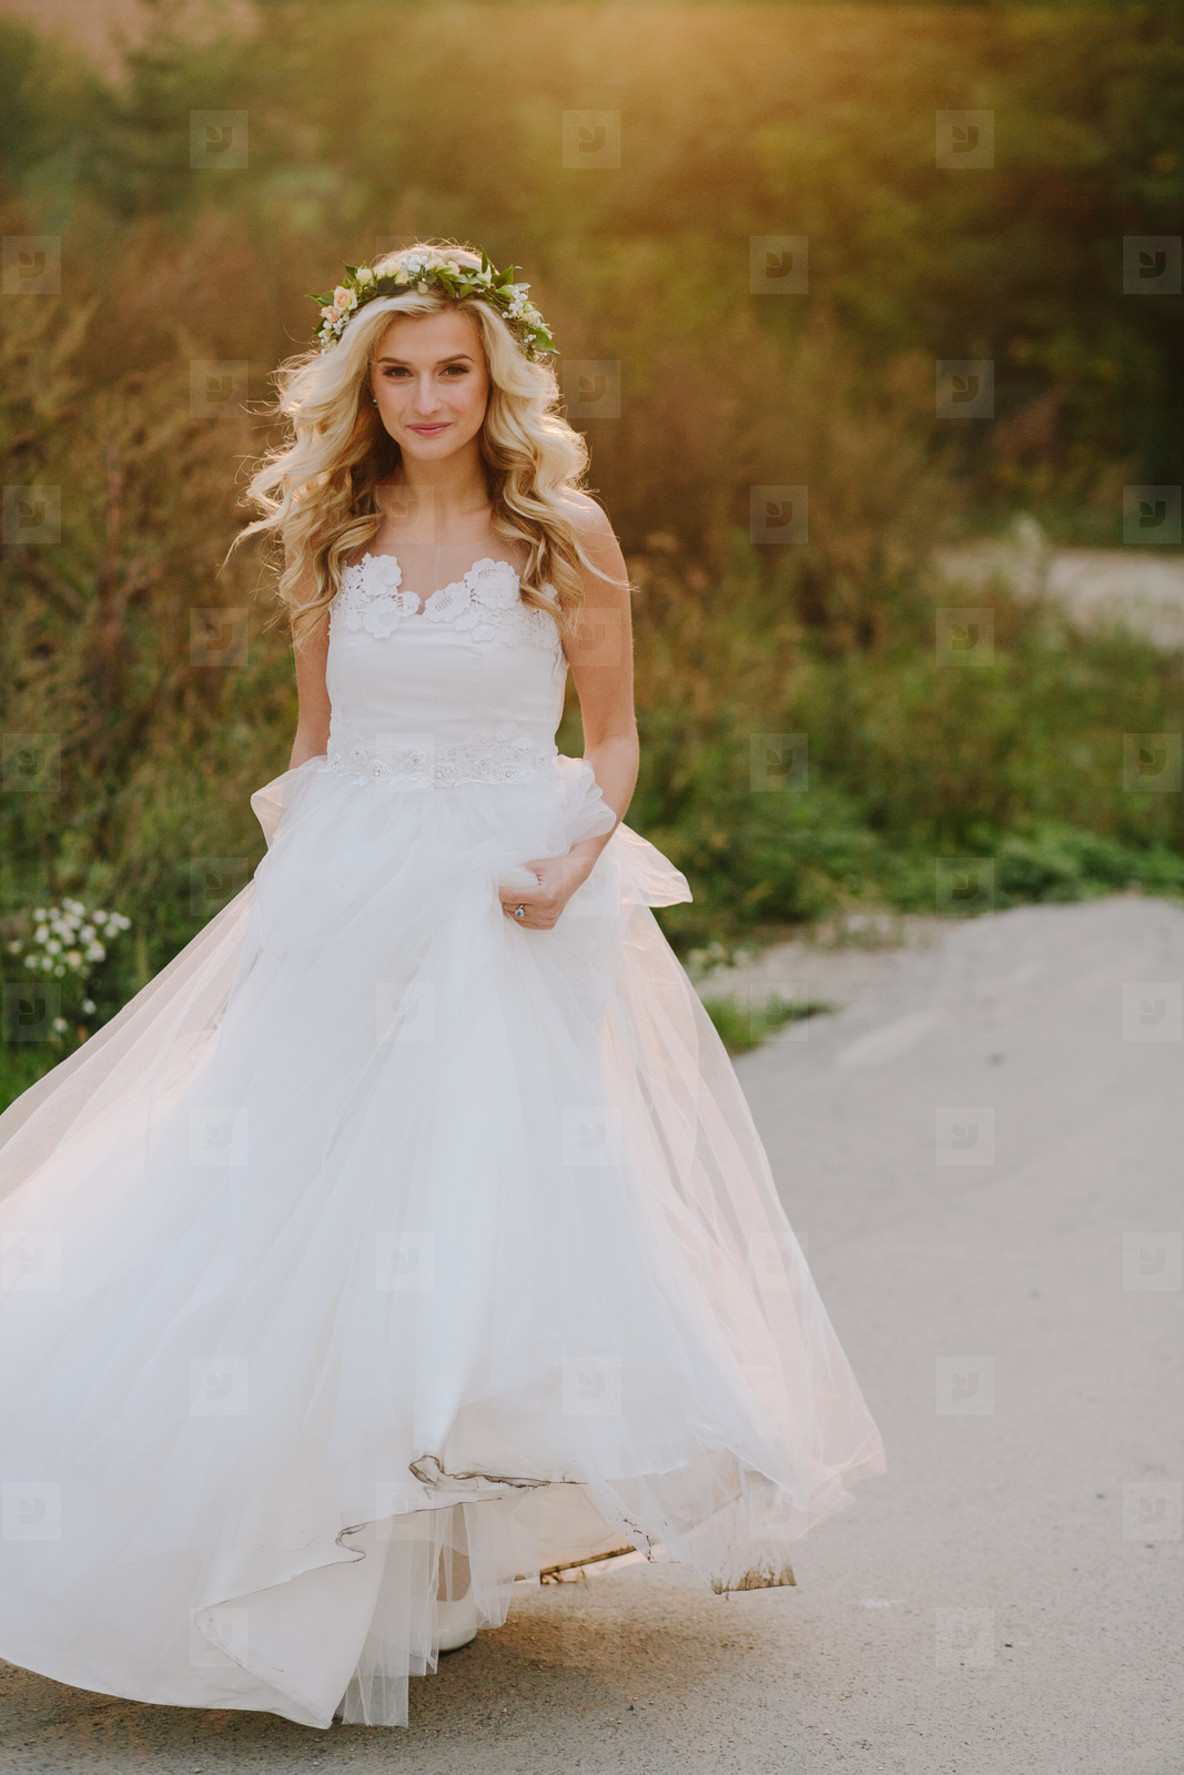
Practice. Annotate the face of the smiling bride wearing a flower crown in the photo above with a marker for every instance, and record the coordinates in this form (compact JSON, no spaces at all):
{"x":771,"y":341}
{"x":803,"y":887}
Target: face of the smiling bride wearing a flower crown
{"x":430,"y":381}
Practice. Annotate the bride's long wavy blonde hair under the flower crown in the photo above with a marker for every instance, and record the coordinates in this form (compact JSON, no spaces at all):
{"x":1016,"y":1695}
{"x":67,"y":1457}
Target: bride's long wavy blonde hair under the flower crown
{"x":317,"y":493}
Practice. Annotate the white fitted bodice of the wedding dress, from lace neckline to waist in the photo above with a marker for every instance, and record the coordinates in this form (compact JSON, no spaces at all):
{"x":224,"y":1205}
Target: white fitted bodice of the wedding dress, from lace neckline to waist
{"x":468,"y":690}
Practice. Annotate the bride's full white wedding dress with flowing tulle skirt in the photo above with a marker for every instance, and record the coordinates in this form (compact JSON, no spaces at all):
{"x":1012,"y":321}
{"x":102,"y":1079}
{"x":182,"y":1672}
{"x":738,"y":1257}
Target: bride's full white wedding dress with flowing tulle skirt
{"x":379,"y":1229}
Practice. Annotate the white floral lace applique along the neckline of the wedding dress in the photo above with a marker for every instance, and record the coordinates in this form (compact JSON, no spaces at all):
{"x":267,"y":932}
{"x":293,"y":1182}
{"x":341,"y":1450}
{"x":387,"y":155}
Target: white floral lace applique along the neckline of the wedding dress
{"x":485,"y":604}
